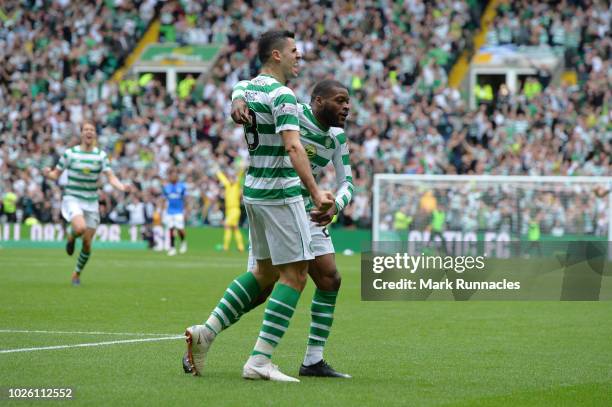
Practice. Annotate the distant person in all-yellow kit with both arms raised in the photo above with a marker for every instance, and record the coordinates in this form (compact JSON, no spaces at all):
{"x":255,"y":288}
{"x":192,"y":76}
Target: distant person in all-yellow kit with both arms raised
{"x":232,"y":185}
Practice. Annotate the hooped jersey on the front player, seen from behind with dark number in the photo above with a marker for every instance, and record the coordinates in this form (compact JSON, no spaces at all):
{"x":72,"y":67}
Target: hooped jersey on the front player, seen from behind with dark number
{"x":271,"y":178}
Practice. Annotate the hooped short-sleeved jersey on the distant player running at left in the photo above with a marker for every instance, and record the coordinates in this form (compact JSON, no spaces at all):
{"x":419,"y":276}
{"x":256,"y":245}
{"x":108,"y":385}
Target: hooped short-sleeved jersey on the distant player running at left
{"x":84,"y":168}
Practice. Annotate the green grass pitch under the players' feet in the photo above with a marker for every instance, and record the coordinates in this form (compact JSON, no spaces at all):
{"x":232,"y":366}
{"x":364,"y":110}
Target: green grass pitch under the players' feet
{"x":400,"y":353}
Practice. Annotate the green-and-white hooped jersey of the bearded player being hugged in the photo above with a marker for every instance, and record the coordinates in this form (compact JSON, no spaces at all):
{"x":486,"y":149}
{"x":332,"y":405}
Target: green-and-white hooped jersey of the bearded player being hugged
{"x":323,"y":146}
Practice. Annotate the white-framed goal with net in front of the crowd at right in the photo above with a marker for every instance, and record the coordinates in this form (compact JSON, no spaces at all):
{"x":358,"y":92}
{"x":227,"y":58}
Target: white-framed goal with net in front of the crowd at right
{"x":475,"y":208}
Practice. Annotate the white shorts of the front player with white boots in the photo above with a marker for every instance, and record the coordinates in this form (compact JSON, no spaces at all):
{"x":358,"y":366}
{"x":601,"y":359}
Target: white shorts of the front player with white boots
{"x":279,"y":232}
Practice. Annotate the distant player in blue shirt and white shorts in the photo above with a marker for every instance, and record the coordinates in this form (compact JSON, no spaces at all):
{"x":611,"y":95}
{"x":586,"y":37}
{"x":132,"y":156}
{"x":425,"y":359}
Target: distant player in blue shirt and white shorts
{"x":173,"y":210}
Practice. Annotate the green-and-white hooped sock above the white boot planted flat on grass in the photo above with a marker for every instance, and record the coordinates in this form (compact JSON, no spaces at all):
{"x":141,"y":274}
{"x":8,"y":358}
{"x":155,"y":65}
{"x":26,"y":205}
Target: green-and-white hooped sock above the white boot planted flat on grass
{"x":278,"y":313}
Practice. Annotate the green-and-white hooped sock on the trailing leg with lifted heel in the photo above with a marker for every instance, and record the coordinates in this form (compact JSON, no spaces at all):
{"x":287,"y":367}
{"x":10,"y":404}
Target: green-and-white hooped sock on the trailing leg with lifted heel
{"x":236,"y":301}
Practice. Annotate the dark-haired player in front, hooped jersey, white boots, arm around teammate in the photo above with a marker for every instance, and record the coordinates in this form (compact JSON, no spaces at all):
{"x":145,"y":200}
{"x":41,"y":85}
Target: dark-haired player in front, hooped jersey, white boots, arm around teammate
{"x":273,"y":200}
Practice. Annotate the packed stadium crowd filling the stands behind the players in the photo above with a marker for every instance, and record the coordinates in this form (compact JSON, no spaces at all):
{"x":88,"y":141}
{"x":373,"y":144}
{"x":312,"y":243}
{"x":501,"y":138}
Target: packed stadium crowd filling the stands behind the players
{"x":394,"y":56}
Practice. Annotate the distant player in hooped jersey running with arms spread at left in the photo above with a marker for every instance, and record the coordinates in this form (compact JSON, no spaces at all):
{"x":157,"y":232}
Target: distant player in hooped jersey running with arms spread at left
{"x":84,"y":164}
